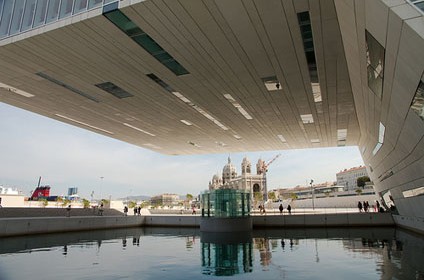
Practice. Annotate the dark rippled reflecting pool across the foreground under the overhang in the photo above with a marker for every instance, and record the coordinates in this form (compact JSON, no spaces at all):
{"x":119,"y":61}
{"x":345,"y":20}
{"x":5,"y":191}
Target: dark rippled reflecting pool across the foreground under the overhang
{"x":185,"y":253}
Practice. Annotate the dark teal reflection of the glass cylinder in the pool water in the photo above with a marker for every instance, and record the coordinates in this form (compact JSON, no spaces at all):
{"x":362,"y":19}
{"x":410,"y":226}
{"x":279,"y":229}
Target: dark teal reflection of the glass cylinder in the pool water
{"x":222,"y":255}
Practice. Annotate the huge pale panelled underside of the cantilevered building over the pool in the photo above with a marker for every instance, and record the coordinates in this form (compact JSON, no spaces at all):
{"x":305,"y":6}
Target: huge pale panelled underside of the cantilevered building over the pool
{"x":191,"y":76}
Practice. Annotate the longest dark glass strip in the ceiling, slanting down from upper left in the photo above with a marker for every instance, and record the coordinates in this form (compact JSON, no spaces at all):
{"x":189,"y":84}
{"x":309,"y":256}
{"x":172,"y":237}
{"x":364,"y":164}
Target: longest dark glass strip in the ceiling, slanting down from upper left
{"x":145,"y":41}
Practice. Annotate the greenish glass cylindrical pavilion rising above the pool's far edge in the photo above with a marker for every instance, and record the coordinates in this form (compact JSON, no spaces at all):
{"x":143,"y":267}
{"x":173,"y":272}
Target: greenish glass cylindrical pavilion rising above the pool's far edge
{"x":226,"y":203}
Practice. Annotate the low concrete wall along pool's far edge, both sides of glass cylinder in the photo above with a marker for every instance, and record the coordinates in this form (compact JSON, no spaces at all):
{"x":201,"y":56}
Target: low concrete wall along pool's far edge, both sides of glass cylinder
{"x":84,"y":219}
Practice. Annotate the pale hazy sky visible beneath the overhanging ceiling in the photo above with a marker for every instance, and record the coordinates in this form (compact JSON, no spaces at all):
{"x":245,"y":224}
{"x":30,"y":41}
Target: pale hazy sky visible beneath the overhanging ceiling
{"x":67,"y":156}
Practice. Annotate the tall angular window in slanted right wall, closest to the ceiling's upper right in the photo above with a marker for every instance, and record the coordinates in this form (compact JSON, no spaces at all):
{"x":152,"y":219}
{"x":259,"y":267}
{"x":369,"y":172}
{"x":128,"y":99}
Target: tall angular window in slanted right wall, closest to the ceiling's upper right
{"x":375,"y":64}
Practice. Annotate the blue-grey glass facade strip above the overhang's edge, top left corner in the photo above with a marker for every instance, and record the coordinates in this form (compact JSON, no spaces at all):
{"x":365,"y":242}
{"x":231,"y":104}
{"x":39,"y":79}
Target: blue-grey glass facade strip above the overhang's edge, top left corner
{"x":21,"y":15}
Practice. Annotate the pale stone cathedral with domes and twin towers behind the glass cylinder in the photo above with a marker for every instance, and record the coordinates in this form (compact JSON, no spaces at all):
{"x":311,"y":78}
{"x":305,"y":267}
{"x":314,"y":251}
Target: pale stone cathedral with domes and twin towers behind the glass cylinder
{"x":246,"y":181}
